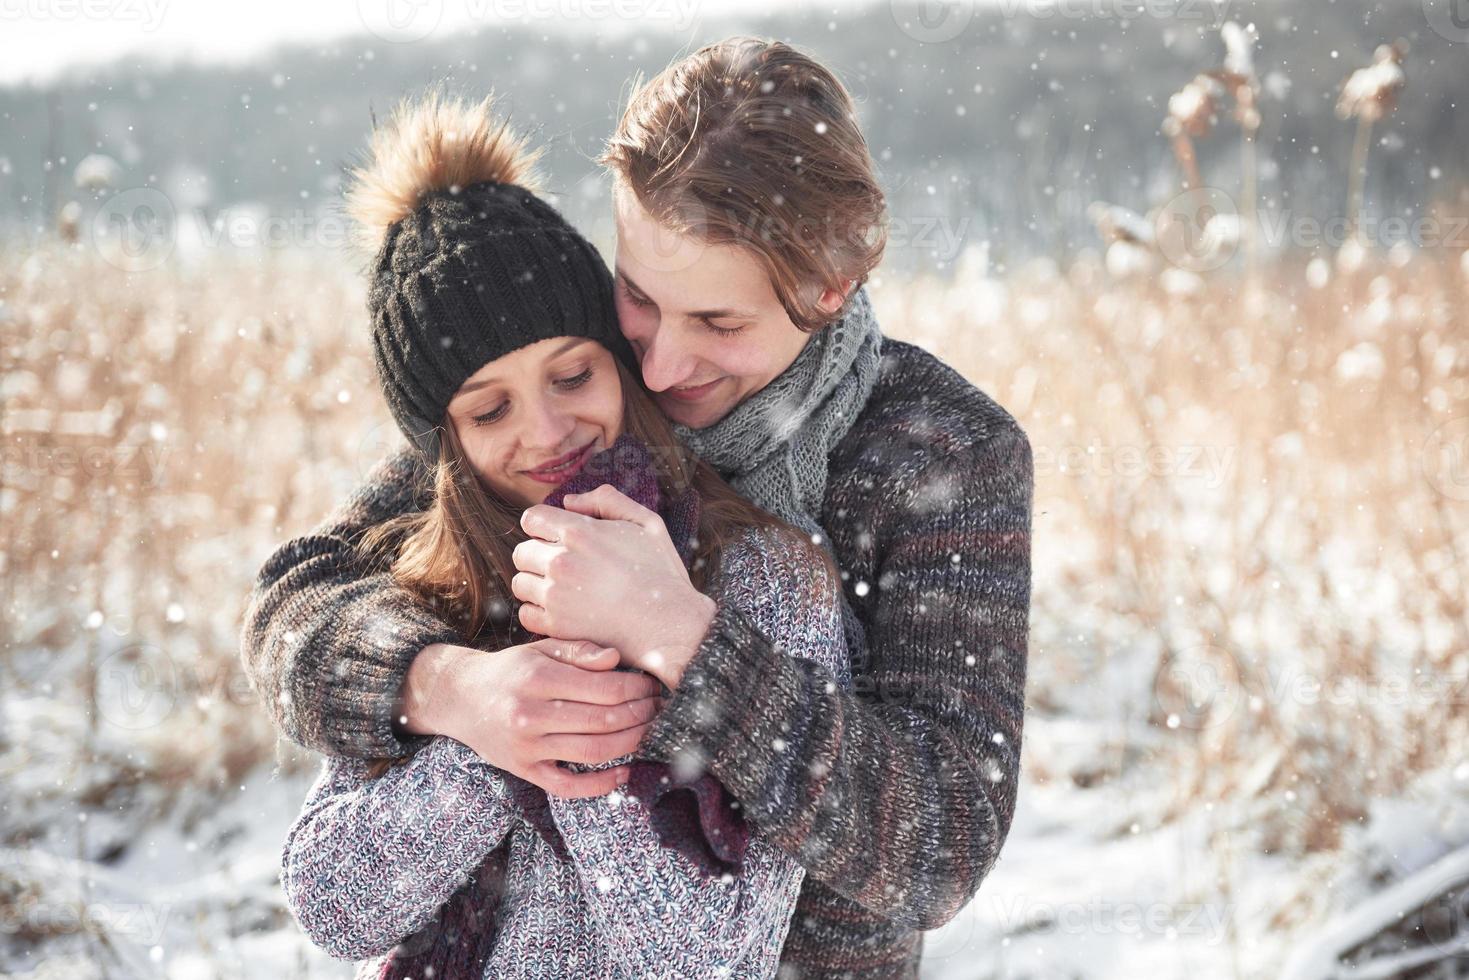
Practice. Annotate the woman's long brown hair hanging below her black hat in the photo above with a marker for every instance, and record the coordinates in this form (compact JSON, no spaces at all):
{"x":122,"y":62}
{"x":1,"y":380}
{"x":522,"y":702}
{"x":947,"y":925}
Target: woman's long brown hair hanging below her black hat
{"x":456,"y":555}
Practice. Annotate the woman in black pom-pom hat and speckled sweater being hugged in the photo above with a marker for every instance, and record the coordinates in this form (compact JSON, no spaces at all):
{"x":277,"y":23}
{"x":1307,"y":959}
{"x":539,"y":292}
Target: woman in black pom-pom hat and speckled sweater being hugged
{"x":500,"y":356}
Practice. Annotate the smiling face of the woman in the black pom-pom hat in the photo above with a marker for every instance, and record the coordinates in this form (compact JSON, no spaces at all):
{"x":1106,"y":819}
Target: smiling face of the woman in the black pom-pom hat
{"x":530,"y":421}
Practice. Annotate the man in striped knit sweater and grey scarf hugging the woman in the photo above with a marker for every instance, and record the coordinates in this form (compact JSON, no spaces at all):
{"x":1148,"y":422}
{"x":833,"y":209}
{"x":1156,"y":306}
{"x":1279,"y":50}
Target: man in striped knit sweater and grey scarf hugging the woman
{"x":748,"y":217}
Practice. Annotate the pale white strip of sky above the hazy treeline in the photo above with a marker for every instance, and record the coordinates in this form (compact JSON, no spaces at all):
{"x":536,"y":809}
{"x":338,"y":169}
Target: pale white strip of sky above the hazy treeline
{"x":40,"y":39}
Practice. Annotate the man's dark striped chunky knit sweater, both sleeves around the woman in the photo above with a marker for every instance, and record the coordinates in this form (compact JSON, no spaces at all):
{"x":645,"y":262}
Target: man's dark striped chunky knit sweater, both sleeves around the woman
{"x":895,"y":796}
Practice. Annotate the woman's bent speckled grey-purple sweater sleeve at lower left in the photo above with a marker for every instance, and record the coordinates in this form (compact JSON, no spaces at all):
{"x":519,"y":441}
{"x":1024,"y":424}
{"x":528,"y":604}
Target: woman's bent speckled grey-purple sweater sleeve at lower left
{"x":369,"y":862}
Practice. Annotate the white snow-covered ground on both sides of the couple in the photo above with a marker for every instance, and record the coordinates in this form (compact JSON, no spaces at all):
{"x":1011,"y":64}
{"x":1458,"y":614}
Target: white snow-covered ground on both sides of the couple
{"x":1085,"y":888}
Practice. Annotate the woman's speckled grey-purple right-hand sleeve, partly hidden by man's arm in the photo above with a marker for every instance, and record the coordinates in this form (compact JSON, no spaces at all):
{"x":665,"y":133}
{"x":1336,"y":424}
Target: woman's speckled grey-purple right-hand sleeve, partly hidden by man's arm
{"x":659,"y":915}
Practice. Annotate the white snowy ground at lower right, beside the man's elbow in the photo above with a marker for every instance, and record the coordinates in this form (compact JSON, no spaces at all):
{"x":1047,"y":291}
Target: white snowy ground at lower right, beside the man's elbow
{"x":1082,"y":893}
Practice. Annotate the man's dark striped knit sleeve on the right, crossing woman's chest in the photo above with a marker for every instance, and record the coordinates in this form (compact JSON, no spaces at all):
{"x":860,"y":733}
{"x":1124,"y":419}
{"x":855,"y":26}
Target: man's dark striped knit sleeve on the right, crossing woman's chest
{"x":898,"y":794}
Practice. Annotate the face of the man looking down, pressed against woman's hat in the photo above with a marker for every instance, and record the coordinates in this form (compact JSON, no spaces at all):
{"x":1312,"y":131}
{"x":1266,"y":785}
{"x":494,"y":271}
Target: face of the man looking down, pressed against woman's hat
{"x":704,"y":320}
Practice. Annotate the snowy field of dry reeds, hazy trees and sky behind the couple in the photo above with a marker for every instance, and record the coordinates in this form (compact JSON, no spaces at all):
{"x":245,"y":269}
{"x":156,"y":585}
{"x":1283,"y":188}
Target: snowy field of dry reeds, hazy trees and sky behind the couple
{"x":1249,"y":666}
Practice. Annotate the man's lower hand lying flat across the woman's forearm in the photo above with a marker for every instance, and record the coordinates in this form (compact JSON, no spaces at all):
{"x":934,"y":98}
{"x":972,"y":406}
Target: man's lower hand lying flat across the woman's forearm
{"x":527,"y":707}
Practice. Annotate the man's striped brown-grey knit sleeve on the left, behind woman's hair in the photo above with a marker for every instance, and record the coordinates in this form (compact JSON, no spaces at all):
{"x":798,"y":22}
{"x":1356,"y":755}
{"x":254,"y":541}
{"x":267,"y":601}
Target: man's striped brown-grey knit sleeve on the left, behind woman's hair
{"x":327,"y":643}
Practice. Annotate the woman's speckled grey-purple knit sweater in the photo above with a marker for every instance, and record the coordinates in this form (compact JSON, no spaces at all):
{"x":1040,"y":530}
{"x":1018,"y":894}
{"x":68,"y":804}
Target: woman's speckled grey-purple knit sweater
{"x":369,"y":862}
